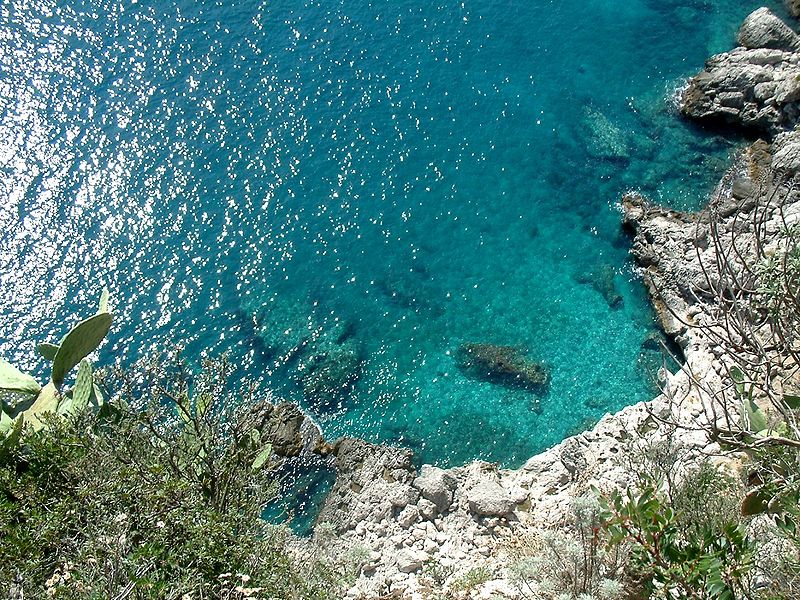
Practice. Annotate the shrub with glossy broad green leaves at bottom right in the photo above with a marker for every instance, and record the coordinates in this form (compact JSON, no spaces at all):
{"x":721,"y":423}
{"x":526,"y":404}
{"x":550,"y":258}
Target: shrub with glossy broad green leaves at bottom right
{"x":703,"y":561}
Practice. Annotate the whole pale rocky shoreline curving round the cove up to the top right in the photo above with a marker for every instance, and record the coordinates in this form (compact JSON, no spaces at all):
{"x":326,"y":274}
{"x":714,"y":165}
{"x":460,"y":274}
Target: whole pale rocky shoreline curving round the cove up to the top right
{"x":420,"y":528}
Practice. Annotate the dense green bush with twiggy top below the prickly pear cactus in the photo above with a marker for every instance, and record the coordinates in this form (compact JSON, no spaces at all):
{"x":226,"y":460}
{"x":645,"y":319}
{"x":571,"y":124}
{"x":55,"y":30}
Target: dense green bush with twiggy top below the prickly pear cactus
{"x":92,"y":507}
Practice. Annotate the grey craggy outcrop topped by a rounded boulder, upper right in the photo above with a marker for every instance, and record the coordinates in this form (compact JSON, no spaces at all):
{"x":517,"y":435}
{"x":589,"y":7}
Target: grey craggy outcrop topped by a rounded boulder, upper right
{"x":756,"y":85}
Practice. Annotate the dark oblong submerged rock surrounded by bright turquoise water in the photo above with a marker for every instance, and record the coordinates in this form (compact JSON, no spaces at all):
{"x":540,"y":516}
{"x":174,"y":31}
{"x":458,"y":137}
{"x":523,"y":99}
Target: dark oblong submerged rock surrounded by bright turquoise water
{"x":503,"y":365}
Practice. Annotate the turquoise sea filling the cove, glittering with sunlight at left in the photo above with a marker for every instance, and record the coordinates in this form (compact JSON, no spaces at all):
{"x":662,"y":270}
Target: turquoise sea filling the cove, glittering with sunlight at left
{"x":408,"y":177}
